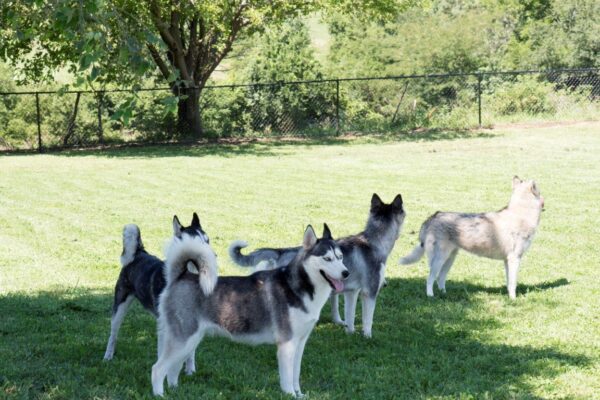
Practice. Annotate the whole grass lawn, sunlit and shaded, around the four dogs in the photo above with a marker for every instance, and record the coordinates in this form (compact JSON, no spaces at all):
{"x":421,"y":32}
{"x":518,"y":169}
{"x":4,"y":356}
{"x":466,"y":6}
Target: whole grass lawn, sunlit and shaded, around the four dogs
{"x":61,"y":217}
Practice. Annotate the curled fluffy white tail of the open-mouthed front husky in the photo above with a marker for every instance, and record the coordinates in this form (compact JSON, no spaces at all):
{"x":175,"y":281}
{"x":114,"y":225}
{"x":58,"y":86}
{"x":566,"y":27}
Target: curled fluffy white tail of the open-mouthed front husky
{"x":194,"y":255}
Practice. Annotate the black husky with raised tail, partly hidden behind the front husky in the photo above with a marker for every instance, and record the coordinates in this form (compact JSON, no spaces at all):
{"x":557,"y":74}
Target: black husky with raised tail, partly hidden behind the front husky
{"x":142,"y":277}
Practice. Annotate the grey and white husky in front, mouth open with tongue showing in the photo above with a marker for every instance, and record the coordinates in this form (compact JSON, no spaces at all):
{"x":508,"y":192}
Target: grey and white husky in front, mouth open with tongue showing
{"x":279,"y":306}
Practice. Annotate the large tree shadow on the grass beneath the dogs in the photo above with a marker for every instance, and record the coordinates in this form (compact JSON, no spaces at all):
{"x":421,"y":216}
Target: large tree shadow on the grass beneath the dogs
{"x":52,"y":345}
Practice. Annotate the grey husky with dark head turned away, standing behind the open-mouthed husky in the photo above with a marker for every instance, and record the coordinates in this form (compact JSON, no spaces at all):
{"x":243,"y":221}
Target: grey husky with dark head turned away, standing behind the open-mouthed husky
{"x":365,"y":256}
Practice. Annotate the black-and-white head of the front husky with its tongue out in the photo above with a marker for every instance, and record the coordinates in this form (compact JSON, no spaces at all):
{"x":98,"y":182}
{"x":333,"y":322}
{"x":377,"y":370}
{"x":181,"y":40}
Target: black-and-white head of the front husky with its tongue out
{"x":325,"y":257}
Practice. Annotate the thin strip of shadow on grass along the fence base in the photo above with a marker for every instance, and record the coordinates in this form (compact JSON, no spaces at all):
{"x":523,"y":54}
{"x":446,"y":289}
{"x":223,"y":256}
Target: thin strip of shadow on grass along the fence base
{"x":260,"y":147}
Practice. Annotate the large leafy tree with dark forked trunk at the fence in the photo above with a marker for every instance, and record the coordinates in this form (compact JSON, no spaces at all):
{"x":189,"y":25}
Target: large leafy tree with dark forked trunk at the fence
{"x":125,"y":42}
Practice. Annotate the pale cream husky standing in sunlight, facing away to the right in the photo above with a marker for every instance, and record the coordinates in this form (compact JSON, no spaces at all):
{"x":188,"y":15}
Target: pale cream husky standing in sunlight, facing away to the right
{"x":502,"y":235}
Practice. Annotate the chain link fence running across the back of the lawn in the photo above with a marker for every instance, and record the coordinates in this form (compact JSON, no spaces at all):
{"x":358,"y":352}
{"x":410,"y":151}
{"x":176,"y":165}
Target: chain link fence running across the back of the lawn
{"x":54,"y":119}
